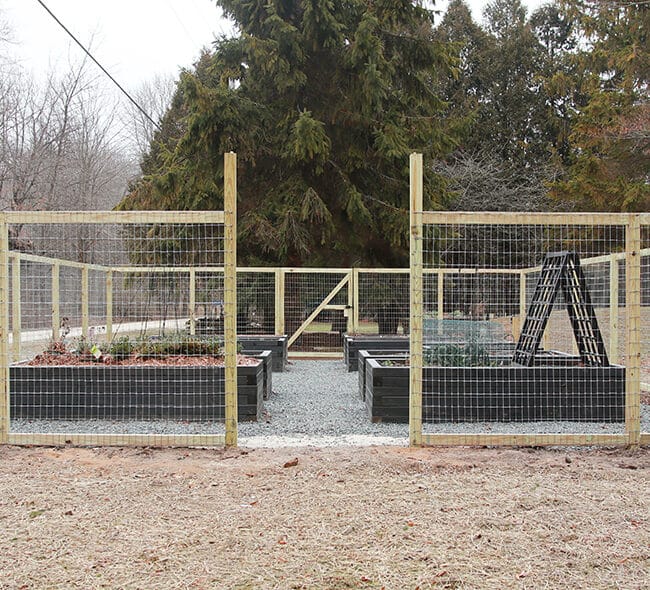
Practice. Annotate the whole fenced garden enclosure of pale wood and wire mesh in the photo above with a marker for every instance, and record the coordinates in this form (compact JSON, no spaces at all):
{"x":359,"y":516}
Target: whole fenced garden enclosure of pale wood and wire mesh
{"x":160,"y":284}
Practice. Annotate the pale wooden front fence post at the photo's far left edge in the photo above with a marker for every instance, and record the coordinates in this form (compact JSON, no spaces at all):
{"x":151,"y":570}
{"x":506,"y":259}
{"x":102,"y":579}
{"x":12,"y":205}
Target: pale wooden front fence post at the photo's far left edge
{"x":4,"y":332}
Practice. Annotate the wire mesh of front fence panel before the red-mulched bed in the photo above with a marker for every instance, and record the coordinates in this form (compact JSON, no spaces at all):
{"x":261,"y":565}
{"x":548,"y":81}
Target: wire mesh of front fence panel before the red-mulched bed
{"x":106,"y":346}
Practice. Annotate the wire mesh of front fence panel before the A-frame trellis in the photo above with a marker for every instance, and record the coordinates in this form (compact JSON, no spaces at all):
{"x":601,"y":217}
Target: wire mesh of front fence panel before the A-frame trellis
{"x":530,"y":342}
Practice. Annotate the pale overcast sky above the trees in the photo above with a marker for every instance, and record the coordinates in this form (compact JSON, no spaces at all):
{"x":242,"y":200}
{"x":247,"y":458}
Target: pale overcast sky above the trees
{"x":133,"y":39}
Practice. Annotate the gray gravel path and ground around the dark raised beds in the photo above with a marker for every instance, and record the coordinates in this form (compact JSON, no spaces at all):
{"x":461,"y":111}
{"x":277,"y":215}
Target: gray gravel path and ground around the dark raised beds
{"x":315,"y":403}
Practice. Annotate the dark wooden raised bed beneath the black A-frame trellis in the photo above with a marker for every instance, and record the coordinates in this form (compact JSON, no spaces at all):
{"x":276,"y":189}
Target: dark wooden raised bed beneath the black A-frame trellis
{"x":562,"y":391}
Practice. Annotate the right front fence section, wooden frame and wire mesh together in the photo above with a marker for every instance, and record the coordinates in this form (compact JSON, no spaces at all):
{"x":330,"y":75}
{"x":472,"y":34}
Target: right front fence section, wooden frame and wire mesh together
{"x":491,"y":264}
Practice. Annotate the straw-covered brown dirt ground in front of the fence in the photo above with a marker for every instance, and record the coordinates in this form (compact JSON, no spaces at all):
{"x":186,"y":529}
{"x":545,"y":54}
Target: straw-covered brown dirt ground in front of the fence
{"x":324,"y":518}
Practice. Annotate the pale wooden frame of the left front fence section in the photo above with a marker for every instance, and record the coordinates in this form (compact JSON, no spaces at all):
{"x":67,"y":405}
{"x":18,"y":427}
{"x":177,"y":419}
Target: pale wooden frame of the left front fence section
{"x":226,"y":217}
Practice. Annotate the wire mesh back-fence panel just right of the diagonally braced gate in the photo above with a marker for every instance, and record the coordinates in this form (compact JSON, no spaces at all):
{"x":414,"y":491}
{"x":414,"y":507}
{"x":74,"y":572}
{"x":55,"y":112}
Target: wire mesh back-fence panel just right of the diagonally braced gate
{"x":382,"y":299}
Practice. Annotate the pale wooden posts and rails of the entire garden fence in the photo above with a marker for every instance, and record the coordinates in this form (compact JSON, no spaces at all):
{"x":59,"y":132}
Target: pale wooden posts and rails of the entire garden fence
{"x":418,"y":218}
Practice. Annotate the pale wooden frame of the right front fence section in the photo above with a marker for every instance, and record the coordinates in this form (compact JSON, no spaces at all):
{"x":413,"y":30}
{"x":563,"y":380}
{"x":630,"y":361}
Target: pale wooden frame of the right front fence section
{"x":632,"y":256}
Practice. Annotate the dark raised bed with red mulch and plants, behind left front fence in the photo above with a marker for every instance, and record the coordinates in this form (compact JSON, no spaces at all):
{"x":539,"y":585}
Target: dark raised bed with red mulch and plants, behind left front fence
{"x":173,"y":379}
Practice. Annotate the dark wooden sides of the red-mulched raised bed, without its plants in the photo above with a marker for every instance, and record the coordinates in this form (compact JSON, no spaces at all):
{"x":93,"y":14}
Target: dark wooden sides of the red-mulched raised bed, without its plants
{"x":131,"y":392}
